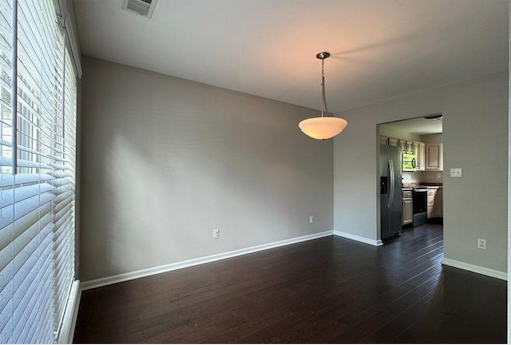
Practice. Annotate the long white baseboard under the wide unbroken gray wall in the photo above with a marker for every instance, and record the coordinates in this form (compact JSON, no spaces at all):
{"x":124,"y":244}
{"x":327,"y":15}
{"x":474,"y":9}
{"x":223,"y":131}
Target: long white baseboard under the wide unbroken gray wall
{"x":199,"y":261}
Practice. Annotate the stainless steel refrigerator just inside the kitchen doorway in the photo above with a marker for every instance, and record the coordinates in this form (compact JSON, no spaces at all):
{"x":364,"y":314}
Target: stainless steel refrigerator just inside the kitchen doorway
{"x":391,"y":202}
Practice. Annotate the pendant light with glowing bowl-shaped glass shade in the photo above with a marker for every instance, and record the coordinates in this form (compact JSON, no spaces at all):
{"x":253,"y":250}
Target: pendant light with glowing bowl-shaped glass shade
{"x":324,"y":127}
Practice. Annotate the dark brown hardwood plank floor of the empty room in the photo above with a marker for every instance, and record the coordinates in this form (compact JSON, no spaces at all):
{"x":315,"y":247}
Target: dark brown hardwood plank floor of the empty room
{"x":329,"y":290}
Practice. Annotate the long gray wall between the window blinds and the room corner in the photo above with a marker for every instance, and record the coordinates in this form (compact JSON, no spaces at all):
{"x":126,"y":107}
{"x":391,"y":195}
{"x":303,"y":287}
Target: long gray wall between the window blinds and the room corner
{"x":165,"y":160}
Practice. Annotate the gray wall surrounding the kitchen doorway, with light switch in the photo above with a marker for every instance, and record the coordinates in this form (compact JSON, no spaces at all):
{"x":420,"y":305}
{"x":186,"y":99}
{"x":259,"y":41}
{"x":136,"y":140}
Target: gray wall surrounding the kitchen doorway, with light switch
{"x":475,"y":138}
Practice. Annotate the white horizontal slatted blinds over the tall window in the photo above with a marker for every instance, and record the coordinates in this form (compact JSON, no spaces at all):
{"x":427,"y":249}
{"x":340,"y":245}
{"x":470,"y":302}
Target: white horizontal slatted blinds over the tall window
{"x":36,"y":173}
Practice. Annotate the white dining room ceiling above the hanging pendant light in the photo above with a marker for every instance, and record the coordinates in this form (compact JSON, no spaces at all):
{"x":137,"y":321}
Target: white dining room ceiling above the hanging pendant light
{"x":380,"y":48}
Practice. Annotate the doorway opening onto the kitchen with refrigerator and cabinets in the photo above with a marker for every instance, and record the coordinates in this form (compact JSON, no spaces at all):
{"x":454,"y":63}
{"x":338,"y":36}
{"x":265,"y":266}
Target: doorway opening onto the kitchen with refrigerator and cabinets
{"x":410,"y":162}
